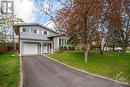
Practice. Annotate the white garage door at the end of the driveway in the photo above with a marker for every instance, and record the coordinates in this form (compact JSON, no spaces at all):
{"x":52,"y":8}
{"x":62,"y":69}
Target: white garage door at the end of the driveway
{"x":30,"y":48}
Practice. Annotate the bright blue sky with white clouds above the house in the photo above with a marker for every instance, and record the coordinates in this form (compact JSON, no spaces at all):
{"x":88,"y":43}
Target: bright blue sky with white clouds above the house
{"x":29,"y":11}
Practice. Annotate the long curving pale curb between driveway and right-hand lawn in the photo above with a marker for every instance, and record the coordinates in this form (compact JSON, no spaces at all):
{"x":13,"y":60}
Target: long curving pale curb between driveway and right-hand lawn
{"x":85,"y":71}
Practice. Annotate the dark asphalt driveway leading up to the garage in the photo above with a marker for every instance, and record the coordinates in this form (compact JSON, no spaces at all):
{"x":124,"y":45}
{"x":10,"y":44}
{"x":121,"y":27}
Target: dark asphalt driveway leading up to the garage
{"x":40,"y":71}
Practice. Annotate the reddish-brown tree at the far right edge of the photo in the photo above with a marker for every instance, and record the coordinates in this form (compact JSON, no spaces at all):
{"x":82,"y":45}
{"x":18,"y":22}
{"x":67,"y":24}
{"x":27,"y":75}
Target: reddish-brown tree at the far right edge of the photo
{"x":119,"y":22}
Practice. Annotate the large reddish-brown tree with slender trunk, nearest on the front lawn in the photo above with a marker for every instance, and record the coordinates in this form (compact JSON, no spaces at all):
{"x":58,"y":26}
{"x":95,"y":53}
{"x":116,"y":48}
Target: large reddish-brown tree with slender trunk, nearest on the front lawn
{"x":79,"y":19}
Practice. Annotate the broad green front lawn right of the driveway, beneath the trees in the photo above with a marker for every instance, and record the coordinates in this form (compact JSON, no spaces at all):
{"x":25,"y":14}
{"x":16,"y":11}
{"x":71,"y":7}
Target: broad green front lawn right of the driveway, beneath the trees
{"x":109,"y":64}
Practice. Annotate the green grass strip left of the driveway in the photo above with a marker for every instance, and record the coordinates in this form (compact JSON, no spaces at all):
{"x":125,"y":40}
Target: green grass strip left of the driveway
{"x":9,"y":70}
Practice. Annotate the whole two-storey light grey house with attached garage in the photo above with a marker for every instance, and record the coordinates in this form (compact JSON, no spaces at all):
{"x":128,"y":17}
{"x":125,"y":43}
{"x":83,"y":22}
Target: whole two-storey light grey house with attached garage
{"x":37,"y":39}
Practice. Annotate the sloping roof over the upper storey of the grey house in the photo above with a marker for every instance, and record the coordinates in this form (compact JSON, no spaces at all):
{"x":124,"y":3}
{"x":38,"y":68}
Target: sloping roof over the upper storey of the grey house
{"x":16,"y":26}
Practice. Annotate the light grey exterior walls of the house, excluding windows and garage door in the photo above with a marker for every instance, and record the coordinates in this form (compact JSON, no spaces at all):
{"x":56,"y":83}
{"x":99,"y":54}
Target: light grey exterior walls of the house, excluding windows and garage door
{"x":40,"y":38}
